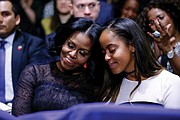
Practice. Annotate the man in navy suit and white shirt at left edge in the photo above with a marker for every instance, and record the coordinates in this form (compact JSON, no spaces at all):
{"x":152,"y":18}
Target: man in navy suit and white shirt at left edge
{"x":21,"y":48}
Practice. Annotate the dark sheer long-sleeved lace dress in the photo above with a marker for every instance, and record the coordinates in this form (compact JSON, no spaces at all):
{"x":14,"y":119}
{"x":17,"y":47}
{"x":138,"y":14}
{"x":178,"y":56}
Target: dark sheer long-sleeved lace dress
{"x":44,"y":87}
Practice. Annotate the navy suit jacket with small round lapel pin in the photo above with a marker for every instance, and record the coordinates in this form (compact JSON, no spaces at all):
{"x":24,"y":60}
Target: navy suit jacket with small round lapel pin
{"x":27,"y":49}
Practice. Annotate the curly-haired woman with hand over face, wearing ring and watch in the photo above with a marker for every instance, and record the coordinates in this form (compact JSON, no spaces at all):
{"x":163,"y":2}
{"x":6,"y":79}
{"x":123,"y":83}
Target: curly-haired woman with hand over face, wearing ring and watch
{"x":163,"y":17}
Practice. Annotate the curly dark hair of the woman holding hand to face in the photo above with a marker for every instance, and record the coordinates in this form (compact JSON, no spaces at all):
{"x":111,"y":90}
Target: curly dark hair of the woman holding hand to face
{"x":169,"y":7}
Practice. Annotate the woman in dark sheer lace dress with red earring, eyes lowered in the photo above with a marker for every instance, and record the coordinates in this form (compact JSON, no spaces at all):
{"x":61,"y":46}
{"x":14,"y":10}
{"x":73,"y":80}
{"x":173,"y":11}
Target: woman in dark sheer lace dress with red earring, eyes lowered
{"x":66,"y":82}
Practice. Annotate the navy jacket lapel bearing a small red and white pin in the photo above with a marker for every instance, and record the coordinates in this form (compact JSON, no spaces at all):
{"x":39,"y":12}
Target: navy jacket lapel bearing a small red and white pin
{"x":17,"y":51}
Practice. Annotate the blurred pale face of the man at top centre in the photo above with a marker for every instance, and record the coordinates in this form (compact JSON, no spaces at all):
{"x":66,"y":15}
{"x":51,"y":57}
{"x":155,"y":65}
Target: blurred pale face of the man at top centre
{"x":85,"y":8}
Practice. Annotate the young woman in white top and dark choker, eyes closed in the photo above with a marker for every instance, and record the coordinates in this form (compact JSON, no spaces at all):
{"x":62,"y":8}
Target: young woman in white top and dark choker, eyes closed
{"x":138,"y":76}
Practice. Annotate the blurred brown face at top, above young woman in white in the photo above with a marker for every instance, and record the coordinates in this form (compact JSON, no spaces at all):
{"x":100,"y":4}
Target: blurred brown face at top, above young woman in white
{"x":130,"y":9}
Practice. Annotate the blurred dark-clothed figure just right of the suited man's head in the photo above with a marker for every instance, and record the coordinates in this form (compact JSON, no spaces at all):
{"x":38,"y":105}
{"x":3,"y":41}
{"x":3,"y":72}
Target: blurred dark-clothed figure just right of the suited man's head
{"x":31,"y":12}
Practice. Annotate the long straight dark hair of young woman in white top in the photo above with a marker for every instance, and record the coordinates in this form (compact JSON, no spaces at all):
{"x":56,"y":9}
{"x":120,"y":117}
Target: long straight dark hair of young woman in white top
{"x":146,"y":64}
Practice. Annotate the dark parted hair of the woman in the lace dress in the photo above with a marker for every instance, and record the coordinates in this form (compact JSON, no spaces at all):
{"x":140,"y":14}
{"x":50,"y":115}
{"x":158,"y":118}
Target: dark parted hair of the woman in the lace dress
{"x":84,"y":25}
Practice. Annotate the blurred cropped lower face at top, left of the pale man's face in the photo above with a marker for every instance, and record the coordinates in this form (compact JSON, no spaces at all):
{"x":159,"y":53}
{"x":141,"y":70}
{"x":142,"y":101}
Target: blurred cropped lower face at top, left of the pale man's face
{"x":63,"y":6}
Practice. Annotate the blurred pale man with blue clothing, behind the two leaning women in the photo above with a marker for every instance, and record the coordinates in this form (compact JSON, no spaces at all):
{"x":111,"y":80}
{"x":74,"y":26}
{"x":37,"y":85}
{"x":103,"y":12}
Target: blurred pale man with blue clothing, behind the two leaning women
{"x":99,"y":11}
